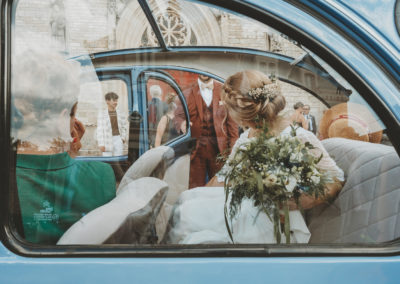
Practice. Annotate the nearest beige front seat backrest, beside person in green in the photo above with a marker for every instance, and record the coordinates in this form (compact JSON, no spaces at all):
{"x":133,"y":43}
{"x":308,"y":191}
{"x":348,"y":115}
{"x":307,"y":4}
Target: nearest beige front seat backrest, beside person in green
{"x":138,"y":203}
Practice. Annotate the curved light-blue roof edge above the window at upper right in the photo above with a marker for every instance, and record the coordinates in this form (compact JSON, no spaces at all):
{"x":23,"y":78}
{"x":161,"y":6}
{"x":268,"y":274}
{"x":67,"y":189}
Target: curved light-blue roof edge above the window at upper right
{"x":357,"y":60}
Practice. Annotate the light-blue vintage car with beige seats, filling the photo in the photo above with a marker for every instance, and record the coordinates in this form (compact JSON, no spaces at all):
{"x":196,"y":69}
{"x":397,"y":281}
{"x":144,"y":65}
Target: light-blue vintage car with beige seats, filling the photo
{"x":342,"y":58}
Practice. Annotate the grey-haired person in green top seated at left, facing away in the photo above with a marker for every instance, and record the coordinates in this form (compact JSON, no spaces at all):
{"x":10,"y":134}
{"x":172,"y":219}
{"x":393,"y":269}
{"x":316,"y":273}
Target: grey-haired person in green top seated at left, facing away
{"x":54,"y":190}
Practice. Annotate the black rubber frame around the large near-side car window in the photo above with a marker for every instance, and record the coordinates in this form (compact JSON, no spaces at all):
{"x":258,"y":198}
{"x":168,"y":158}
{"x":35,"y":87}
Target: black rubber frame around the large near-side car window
{"x":20,"y":247}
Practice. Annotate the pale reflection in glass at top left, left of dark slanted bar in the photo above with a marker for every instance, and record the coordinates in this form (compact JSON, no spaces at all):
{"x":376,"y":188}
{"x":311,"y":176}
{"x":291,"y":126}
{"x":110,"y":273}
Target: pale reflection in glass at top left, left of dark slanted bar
{"x":81,"y":27}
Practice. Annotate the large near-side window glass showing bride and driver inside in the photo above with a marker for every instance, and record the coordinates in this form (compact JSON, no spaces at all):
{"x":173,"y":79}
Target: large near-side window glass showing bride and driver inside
{"x":266,"y":142}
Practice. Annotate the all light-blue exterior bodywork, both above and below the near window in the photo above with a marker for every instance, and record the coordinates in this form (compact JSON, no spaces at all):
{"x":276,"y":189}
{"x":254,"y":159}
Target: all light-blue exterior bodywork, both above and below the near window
{"x":362,"y":20}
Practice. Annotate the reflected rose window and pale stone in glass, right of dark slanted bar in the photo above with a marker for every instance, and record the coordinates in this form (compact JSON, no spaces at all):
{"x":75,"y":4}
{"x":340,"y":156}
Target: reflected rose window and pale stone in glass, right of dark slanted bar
{"x":184,"y":23}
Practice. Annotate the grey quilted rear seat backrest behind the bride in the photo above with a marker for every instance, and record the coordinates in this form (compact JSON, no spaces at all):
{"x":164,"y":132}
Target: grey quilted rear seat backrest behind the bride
{"x":363,"y":211}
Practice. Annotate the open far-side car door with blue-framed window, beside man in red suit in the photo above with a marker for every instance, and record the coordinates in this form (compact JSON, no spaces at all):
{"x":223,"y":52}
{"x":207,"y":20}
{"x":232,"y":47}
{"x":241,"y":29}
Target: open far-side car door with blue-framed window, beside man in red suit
{"x":160,"y":97}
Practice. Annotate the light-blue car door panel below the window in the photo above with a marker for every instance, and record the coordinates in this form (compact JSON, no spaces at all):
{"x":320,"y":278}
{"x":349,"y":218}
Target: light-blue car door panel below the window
{"x":16,"y":269}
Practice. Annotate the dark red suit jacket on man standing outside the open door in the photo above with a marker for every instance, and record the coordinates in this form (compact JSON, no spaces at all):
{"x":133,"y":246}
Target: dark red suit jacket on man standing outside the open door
{"x":226,"y":131}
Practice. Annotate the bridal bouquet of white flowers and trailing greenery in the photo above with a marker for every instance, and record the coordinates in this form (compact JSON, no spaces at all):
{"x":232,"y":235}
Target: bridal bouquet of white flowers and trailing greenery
{"x":271,"y":171}
